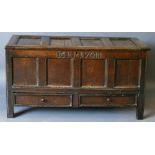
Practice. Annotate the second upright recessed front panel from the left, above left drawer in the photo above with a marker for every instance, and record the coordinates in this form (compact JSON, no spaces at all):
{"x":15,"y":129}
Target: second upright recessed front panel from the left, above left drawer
{"x":59,"y":72}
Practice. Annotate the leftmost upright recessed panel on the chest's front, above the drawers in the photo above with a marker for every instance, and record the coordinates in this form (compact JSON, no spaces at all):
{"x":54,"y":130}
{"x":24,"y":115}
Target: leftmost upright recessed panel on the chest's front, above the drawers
{"x":24,"y":71}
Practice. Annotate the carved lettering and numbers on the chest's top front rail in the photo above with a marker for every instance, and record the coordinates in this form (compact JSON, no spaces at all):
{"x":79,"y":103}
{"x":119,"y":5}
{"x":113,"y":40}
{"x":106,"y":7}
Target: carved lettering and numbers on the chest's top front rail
{"x":81,"y":55}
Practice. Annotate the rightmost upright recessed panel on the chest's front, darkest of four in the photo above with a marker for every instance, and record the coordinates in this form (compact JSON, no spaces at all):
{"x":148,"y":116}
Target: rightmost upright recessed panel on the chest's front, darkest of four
{"x":127,"y":73}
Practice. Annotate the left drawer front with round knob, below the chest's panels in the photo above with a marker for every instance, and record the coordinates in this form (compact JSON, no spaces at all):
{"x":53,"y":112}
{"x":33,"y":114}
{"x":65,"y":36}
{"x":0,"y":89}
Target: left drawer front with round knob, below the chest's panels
{"x":45,"y":100}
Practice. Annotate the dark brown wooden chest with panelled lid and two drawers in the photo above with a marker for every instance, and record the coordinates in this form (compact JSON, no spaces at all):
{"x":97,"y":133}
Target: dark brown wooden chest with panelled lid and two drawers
{"x":75,"y":72}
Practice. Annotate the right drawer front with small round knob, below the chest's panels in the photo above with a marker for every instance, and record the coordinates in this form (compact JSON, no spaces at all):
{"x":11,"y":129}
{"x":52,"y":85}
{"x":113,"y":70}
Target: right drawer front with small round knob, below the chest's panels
{"x":99,"y":101}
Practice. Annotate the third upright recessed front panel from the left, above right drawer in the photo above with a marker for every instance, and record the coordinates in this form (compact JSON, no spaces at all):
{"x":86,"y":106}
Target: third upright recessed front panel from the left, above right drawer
{"x":93,"y":73}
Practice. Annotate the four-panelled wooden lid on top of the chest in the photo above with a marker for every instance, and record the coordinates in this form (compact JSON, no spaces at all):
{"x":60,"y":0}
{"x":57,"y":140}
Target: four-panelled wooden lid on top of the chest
{"x":72,"y":42}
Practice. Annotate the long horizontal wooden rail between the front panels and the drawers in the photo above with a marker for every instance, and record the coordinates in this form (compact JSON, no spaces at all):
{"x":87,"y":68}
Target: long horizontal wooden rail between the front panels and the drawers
{"x":68,"y":90}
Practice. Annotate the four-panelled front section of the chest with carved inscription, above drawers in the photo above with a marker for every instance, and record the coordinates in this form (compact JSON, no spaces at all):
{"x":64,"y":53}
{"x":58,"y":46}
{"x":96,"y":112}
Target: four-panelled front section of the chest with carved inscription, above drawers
{"x":84,"y":69}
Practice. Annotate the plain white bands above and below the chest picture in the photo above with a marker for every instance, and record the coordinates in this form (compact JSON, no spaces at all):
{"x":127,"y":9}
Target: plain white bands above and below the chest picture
{"x":77,"y":16}
